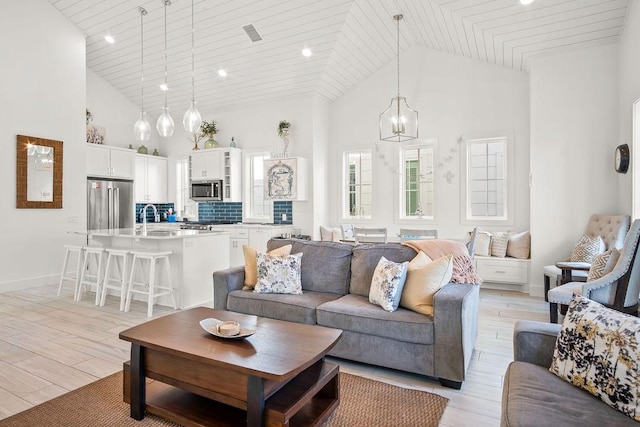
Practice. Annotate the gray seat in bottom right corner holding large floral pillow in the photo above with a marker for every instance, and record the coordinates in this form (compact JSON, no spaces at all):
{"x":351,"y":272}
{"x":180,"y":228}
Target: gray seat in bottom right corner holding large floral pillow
{"x":533,"y":396}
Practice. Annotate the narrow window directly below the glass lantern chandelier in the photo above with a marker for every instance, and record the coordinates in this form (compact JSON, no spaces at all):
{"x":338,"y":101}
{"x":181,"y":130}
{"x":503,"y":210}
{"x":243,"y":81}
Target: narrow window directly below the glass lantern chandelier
{"x":416,"y":181}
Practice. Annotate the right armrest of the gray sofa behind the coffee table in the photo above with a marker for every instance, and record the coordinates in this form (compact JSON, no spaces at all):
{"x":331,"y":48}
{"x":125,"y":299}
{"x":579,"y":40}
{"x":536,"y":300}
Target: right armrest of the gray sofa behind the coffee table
{"x":455,"y":323}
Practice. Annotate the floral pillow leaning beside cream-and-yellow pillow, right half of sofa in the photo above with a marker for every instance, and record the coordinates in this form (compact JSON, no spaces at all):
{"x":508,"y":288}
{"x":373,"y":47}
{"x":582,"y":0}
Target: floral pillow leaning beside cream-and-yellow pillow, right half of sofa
{"x":387,"y":283}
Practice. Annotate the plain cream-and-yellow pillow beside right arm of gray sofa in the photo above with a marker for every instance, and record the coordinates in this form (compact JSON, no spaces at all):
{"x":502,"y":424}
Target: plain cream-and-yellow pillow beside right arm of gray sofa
{"x":424,"y":279}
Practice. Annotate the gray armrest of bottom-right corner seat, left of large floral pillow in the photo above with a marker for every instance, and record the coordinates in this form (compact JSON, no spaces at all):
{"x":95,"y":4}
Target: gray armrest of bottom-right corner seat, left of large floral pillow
{"x":534,"y":342}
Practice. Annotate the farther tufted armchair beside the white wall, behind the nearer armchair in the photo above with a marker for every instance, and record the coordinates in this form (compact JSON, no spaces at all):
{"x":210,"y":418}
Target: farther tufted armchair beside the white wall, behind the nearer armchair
{"x":612,"y":229}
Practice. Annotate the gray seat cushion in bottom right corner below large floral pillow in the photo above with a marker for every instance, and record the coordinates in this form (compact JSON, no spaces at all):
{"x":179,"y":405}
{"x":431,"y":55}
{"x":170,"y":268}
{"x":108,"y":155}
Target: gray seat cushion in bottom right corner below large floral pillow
{"x":532,"y":396}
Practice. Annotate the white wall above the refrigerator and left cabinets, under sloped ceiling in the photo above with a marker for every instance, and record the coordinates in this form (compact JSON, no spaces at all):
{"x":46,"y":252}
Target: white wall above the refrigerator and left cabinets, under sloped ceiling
{"x":116,"y":114}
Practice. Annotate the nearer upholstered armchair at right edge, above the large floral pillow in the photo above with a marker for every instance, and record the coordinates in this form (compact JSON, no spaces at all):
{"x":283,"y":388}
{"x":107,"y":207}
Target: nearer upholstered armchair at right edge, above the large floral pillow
{"x":618,"y":289}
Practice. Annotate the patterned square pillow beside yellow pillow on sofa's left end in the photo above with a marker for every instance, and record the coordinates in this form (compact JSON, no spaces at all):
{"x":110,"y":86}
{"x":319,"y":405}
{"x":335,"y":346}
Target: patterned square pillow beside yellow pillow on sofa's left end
{"x":279,"y":274}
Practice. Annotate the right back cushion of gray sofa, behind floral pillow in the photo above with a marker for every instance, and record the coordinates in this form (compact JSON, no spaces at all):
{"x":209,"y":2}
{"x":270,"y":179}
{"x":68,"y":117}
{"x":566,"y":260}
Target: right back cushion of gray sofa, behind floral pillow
{"x":365,"y":259}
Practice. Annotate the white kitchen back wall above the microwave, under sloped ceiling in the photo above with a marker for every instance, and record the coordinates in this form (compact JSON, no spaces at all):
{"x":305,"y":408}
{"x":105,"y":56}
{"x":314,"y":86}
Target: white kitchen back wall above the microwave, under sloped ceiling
{"x":255,"y":129}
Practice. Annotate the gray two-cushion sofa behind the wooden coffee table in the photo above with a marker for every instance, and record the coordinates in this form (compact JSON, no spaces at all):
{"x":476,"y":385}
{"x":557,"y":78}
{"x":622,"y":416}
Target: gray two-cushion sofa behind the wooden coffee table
{"x":335,"y":281}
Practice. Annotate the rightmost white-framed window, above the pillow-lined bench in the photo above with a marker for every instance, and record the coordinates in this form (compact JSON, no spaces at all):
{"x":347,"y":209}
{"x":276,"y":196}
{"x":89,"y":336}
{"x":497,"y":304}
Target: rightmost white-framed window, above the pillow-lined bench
{"x":486,"y":179}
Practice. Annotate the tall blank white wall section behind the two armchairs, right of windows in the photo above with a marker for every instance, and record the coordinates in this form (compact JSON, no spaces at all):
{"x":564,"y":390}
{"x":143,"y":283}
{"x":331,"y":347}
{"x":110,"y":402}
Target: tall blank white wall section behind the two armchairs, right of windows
{"x":574,"y":130}
